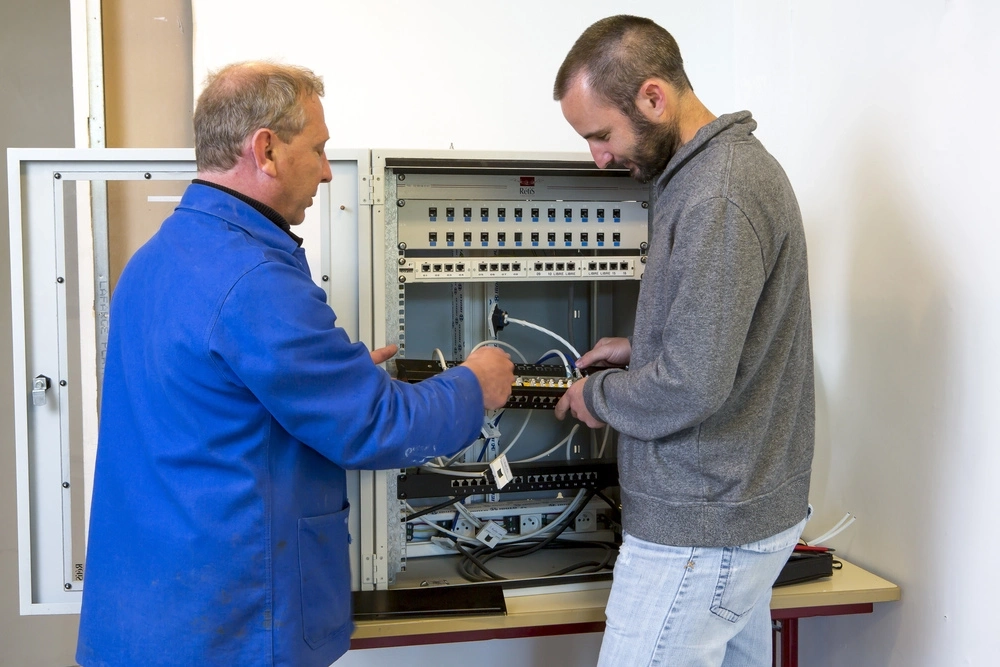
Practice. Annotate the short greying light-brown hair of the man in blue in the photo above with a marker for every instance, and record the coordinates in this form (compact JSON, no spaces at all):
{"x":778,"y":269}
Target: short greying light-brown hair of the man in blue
{"x":240,"y":99}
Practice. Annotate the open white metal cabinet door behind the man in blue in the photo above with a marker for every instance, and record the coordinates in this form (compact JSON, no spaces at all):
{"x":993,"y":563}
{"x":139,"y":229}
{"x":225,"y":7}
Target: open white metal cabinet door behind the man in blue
{"x":75,"y":218}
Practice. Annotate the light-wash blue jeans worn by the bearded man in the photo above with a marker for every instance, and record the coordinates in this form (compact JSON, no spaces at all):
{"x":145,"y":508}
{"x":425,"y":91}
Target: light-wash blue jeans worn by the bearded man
{"x":694,"y":606}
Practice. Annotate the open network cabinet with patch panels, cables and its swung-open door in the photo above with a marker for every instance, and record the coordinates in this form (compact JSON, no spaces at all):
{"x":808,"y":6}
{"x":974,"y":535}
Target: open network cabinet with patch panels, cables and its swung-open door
{"x":436,"y":252}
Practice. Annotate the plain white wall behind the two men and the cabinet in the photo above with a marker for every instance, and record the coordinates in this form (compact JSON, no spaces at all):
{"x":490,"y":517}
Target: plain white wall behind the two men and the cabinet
{"x":881,"y":112}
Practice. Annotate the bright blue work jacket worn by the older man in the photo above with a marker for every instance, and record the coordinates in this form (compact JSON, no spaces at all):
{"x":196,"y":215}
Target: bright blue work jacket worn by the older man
{"x":232,"y":405}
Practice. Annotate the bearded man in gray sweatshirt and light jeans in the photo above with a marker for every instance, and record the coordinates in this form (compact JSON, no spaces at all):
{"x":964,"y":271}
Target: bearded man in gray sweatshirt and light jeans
{"x":713,"y":396}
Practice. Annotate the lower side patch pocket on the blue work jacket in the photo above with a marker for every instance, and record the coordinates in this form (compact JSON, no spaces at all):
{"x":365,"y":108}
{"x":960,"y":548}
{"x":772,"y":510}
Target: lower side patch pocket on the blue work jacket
{"x":325,"y":577}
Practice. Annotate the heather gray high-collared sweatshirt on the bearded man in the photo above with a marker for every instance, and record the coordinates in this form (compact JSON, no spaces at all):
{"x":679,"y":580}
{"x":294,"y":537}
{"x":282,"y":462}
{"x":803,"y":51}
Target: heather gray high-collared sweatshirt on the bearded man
{"x":716,"y":411}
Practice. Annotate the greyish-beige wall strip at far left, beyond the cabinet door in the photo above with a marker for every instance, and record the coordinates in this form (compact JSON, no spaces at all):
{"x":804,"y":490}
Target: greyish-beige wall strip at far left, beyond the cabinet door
{"x":37,"y":111}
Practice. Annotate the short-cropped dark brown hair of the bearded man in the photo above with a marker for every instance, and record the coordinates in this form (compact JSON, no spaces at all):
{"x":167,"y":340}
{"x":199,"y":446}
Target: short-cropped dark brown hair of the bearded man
{"x":617,"y":55}
